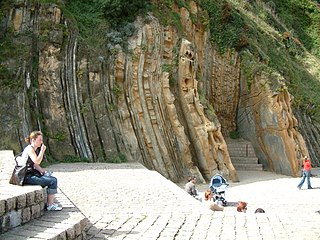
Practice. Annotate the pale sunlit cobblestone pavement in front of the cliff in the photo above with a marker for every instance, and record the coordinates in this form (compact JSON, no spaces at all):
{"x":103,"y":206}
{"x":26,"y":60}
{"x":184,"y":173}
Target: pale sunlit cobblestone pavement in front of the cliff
{"x":127,"y":201}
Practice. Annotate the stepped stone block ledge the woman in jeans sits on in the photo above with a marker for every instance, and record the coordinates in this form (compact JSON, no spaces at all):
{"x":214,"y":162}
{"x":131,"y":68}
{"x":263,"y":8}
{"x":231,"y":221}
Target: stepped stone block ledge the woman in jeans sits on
{"x":22,"y":214}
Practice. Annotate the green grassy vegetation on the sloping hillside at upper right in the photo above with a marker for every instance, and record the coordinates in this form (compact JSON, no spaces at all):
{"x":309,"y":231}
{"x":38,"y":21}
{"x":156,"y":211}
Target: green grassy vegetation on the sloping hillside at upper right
{"x":272,"y":37}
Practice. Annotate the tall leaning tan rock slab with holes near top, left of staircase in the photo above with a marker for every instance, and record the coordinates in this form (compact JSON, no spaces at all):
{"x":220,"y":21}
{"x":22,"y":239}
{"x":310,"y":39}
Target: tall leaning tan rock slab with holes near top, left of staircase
{"x":210,"y":147}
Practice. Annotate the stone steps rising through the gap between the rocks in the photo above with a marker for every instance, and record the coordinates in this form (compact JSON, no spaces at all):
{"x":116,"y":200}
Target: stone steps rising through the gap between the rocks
{"x":242,"y":155}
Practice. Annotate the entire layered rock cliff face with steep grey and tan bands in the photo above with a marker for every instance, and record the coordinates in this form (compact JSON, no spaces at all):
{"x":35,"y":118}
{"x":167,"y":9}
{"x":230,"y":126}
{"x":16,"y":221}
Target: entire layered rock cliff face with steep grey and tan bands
{"x":145,"y":104}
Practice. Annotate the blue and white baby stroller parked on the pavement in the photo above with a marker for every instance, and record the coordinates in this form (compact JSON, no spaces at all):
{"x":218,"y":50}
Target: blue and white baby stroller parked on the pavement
{"x":218,"y":185}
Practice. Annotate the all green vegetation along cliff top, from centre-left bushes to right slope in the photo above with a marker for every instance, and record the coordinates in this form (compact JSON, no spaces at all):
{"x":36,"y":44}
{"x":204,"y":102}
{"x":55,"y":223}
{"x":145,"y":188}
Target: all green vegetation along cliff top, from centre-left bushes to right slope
{"x":271,"y":36}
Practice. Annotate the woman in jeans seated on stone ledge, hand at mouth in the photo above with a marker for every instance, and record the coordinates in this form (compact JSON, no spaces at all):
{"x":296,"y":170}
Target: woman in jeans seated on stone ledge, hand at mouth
{"x":36,"y":175}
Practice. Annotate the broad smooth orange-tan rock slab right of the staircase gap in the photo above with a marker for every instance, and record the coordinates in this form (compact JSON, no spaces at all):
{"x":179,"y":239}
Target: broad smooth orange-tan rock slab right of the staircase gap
{"x":266,"y":118}
